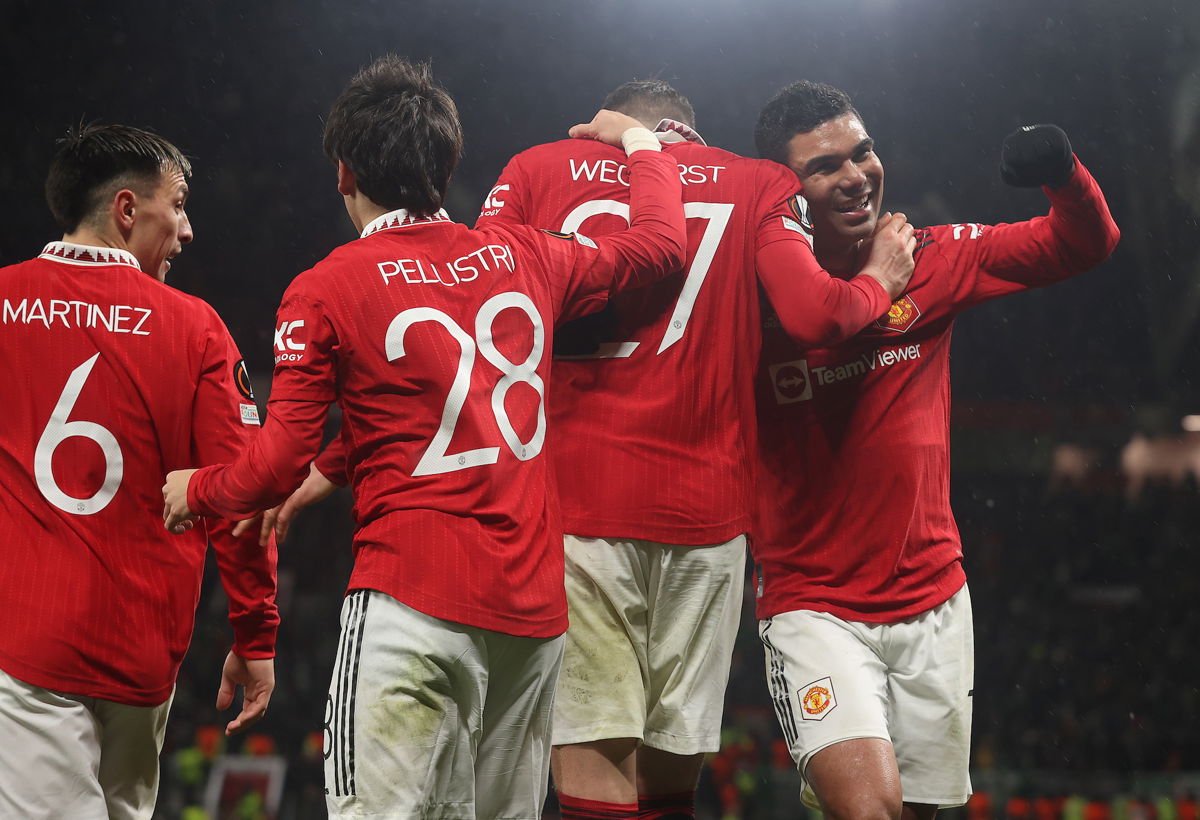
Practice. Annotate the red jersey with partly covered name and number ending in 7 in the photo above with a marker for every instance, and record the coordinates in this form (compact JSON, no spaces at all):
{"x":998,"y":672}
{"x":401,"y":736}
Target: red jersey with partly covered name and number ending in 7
{"x":655,"y":434}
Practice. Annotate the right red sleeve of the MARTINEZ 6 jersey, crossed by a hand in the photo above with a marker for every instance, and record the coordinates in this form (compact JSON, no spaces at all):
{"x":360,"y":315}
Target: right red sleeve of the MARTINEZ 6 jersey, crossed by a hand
{"x":225,"y":418}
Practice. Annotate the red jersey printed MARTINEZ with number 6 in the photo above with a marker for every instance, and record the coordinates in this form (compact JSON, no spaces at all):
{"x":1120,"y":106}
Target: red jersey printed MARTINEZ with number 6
{"x":115,"y":381}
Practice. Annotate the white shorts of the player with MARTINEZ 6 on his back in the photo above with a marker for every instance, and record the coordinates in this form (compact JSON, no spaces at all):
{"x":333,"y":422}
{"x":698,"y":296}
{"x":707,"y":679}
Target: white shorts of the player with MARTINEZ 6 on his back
{"x":70,"y":757}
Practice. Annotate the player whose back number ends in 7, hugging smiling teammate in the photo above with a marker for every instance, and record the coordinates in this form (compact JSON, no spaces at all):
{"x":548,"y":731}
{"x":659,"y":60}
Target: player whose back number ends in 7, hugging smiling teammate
{"x":655,"y":439}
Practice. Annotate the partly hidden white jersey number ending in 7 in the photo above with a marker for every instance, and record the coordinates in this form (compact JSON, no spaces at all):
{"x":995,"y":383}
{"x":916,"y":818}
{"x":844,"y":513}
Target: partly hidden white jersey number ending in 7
{"x":717,"y":219}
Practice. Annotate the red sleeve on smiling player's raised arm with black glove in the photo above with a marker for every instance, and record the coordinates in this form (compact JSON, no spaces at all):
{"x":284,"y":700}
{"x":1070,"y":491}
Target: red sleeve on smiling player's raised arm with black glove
{"x":1077,"y":235}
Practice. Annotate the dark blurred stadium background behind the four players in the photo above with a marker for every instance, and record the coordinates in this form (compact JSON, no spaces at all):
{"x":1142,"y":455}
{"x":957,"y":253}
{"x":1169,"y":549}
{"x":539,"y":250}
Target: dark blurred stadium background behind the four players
{"x":1076,"y":460}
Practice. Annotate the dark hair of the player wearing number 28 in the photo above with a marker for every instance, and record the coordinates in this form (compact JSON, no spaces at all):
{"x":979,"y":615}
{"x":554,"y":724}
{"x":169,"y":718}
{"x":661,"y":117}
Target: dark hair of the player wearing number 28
{"x":399,"y":133}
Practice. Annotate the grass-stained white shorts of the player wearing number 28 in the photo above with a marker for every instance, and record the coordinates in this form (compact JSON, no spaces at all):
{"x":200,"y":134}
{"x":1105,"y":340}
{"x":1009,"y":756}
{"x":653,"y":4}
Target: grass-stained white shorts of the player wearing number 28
{"x":428,"y":719}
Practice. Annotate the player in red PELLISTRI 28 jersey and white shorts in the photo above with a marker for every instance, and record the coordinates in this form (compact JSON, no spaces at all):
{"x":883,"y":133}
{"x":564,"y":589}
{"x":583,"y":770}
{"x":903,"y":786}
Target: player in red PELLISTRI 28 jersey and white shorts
{"x":435,"y":342}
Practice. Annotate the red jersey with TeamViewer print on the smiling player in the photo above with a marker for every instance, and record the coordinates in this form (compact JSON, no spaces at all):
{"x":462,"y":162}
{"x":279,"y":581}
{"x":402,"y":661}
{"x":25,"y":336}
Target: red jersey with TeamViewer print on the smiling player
{"x":855,"y":506}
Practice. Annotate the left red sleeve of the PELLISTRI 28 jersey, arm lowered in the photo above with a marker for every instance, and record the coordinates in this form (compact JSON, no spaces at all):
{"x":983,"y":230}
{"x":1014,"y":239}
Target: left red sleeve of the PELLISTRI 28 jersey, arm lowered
{"x":304,"y":386}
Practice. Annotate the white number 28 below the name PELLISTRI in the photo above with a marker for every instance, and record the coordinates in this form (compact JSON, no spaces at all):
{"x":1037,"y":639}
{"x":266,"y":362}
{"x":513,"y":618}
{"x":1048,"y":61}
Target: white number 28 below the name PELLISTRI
{"x":436,"y":458}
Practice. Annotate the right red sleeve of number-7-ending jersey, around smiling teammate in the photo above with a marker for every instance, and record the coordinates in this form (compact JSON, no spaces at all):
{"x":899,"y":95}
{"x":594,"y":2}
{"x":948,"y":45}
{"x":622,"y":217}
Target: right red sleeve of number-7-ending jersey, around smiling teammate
{"x":814,"y":308}
